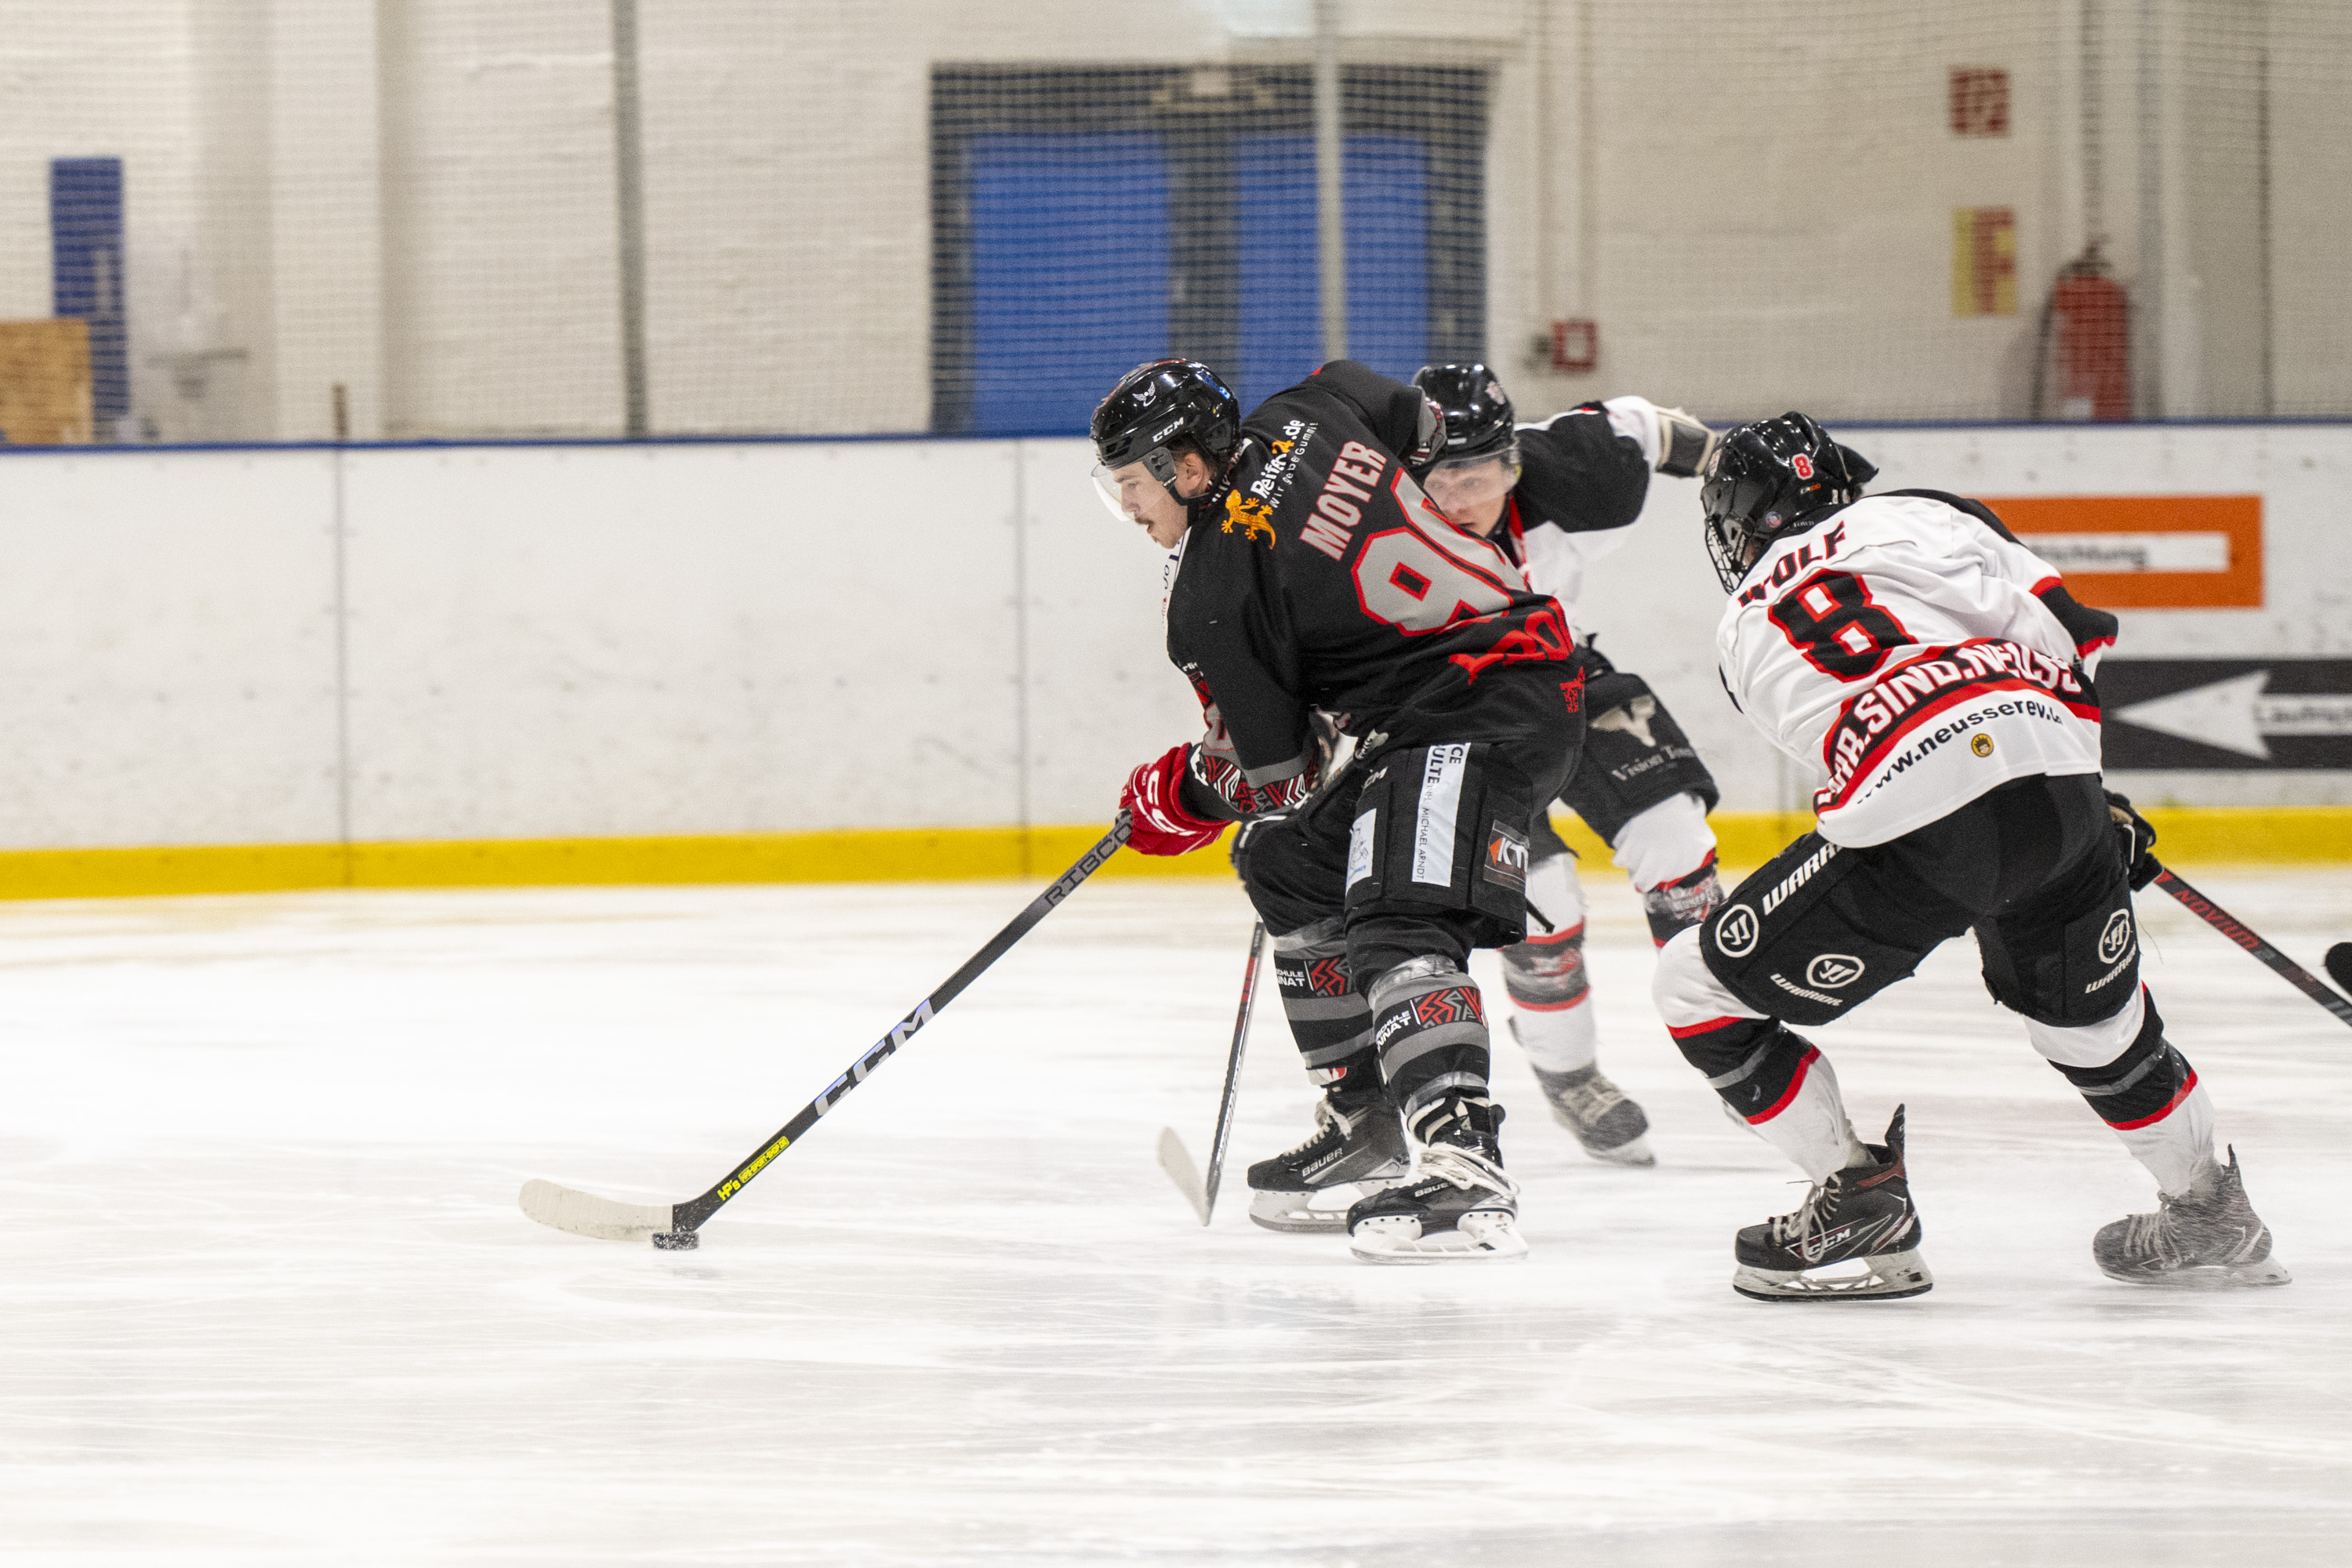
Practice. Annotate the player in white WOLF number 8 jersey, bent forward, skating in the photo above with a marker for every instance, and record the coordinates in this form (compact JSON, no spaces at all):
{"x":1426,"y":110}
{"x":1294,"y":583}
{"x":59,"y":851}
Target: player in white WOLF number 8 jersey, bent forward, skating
{"x":1939,"y":676}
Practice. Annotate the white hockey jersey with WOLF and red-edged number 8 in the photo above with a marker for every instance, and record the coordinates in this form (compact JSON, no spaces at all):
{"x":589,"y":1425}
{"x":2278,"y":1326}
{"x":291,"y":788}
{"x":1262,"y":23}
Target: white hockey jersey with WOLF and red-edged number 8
{"x":1916,"y":655}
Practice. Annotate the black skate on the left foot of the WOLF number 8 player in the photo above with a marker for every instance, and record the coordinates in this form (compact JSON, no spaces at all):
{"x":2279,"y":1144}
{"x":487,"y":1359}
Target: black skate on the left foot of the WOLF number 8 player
{"x":1855,"y":1238}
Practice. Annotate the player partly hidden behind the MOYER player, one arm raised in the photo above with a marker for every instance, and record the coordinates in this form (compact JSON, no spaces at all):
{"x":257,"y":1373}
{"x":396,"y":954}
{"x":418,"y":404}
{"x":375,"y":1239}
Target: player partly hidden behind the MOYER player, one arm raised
{"x":1558,"y":497}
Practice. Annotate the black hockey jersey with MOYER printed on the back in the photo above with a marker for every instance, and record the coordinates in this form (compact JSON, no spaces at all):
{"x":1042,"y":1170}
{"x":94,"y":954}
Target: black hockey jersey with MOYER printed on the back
{"x":1321,"y":577}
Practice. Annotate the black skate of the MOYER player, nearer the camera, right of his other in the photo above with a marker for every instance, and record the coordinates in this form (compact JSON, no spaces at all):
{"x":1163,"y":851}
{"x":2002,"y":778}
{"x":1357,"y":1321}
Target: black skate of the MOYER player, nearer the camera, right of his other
{"x":1459,"y":1205}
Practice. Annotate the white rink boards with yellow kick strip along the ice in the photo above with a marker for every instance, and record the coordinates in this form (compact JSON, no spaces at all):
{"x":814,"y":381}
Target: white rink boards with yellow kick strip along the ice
{"x":726,"y":662}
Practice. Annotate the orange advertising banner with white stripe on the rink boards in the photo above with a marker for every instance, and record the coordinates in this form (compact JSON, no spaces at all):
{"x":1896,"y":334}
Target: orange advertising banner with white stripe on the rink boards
{"x":2146,"y":551}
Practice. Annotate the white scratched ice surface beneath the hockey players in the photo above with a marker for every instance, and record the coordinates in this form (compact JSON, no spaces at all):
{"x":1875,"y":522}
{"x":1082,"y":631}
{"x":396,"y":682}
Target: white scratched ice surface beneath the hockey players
{"x":267,"y":1296}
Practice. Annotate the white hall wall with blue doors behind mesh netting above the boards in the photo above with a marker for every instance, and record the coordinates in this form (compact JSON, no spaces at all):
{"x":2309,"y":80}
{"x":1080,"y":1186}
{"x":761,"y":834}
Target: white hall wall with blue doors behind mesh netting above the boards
{"x":288,"y":220}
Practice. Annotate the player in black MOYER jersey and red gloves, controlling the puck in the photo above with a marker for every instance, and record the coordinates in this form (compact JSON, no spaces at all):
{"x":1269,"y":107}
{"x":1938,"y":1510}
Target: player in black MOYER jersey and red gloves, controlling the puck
{"x":1314,"y":575}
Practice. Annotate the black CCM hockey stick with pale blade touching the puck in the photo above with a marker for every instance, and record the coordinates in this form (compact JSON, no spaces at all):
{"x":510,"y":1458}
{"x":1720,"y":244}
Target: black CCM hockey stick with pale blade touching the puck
{"x":674,"y":1226}
